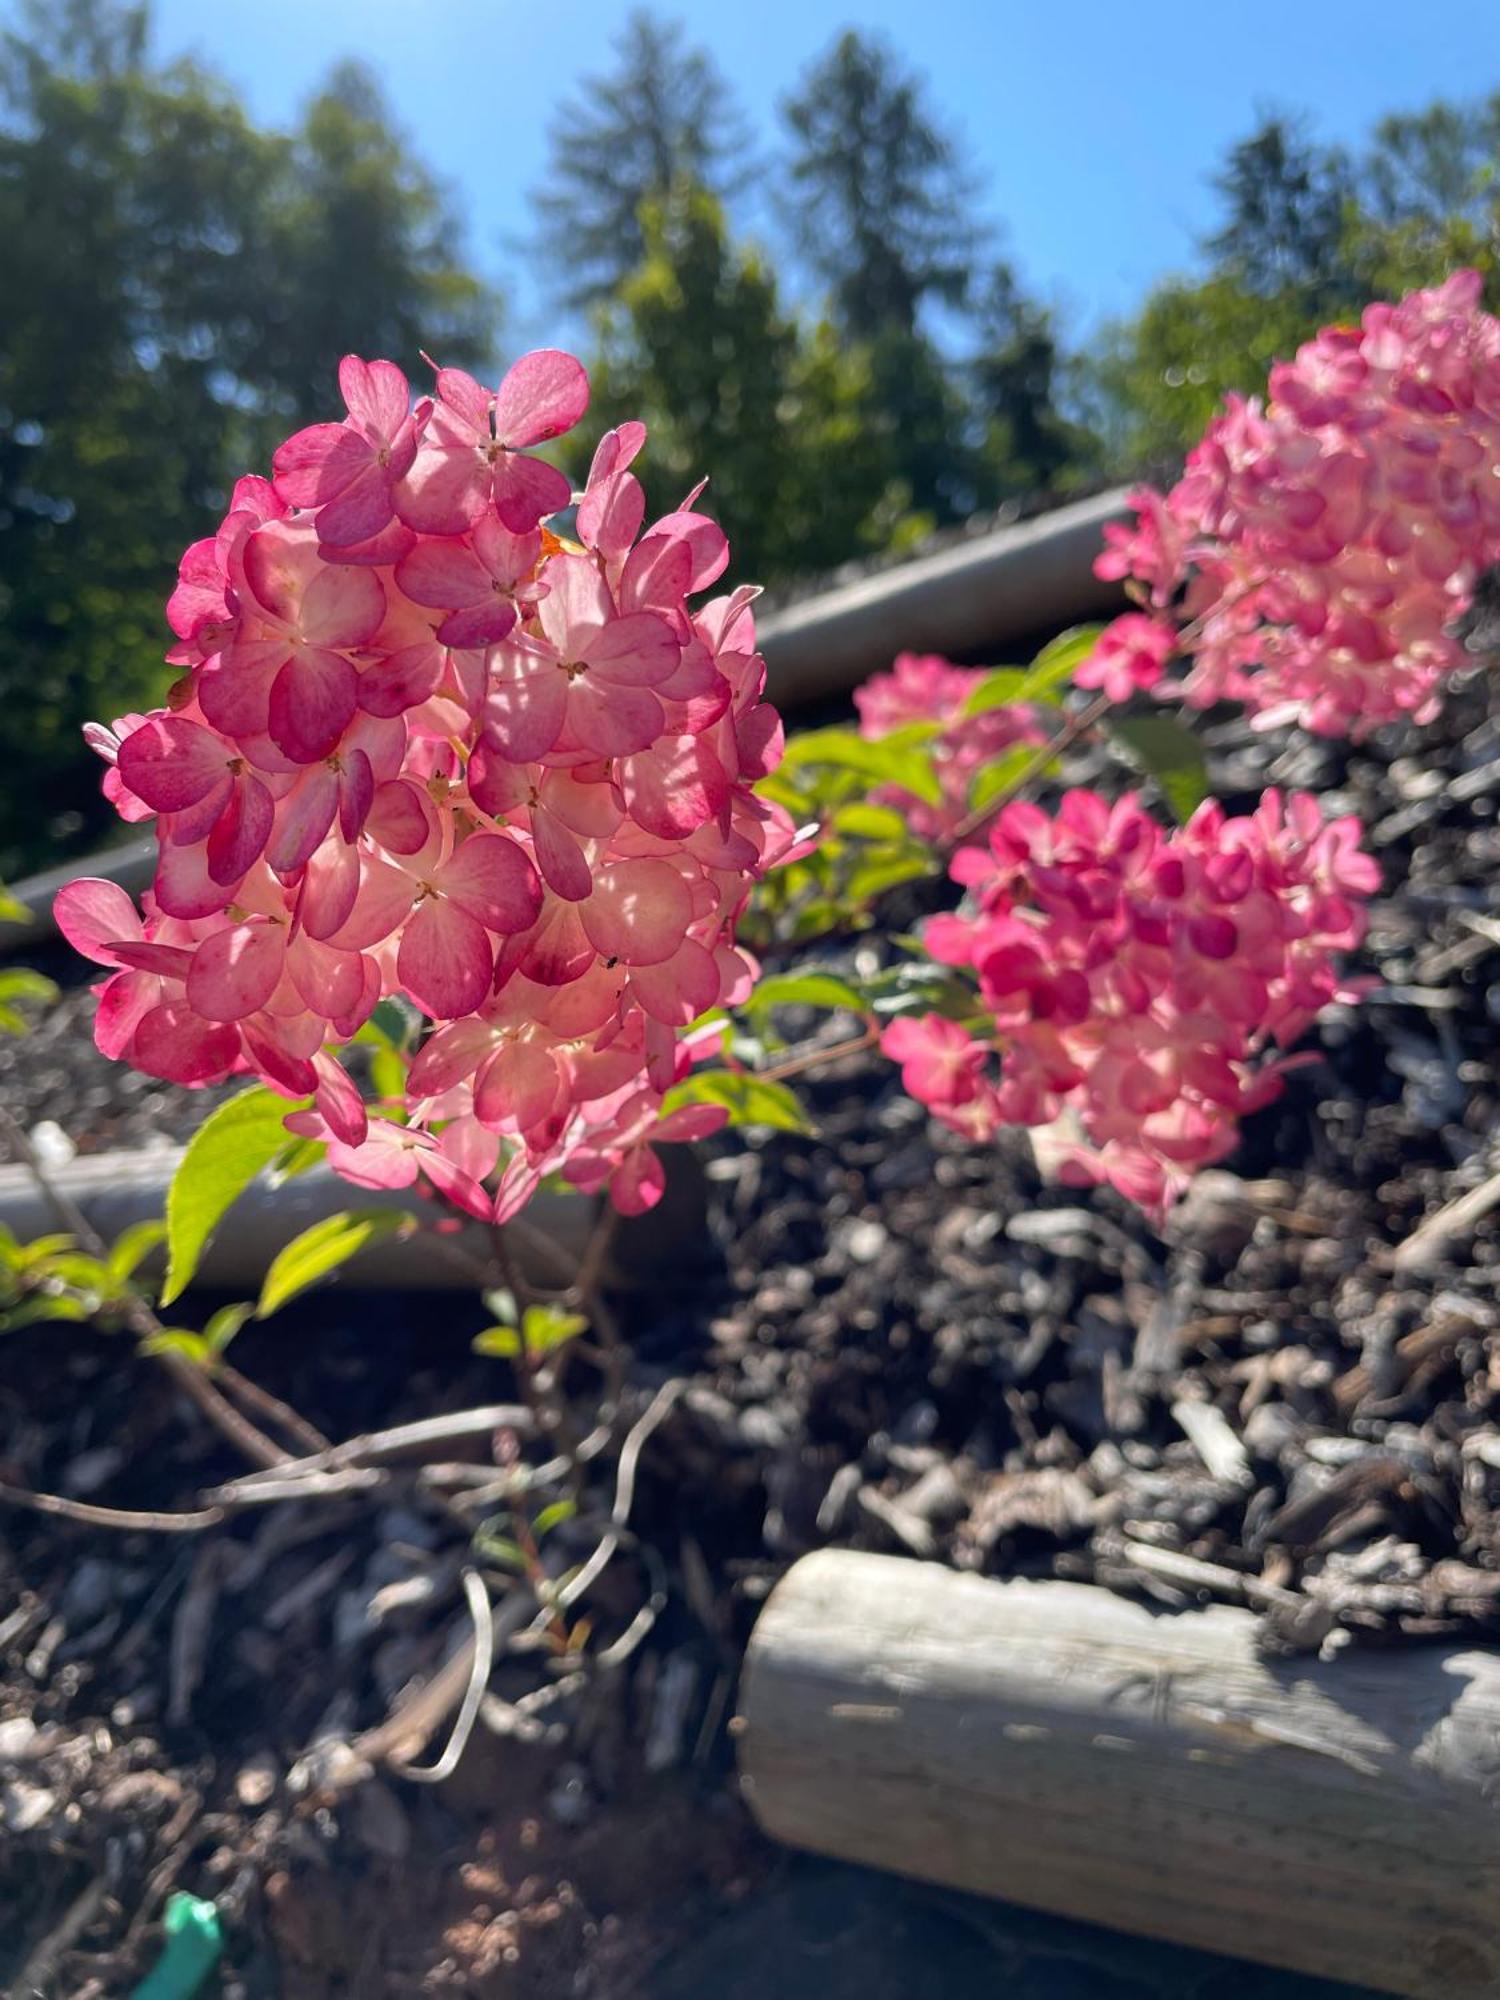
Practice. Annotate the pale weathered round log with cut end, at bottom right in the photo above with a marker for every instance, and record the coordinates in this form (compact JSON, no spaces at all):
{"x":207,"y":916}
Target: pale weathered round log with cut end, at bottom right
{"x":1061,"y":1747}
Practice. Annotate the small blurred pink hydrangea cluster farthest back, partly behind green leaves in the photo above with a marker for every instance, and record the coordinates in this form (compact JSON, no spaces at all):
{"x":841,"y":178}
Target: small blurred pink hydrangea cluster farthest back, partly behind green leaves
{"x":923,"y":687}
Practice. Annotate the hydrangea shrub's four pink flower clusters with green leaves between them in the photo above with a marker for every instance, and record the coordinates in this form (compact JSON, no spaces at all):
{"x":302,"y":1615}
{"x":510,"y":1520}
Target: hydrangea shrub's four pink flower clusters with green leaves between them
{"x":477,"y":769}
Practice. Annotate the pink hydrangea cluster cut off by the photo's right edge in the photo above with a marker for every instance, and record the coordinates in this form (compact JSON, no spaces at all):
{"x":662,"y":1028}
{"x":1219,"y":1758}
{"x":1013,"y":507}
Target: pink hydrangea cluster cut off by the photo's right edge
{"x":1321,"y":545}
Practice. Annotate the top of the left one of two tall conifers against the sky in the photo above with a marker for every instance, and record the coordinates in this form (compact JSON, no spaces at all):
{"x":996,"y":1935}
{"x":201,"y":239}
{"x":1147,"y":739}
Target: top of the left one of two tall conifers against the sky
{"x":661,"y":117}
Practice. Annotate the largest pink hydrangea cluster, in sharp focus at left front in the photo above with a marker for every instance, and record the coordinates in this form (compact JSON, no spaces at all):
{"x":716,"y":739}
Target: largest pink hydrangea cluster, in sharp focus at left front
{"x":427,"y":747}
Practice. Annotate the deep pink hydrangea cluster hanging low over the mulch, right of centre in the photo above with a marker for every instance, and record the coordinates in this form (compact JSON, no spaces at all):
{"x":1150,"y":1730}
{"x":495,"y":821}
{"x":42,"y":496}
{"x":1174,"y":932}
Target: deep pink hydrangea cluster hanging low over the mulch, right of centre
{"x":1141,"y":987}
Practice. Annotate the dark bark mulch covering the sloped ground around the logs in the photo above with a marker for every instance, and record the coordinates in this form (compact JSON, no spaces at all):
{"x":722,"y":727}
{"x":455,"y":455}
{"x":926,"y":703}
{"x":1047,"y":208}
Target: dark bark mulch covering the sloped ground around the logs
{"x":881,"y":1339}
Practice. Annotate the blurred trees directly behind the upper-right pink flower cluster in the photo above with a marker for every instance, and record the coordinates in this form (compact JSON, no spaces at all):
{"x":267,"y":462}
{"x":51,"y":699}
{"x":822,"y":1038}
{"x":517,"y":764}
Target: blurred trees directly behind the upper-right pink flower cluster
{"x":1311,"y":235}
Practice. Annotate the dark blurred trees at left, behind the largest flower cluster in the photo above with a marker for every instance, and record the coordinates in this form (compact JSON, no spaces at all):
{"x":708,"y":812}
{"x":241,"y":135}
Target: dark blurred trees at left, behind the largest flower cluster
{"x":179,"y":289}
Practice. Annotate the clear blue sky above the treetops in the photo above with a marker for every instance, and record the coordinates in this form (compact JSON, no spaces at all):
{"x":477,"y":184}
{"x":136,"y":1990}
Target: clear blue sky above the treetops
{"x":1095,"y":125}
